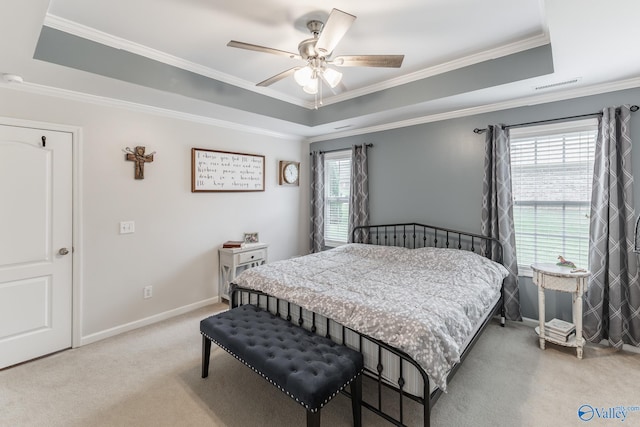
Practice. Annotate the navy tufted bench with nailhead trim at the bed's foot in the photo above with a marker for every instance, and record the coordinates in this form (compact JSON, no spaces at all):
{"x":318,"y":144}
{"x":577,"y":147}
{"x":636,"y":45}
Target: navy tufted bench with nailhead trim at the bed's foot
{"x":309,"y":368}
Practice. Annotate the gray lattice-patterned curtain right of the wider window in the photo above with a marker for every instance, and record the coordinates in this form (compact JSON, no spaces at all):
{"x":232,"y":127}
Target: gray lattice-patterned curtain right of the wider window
{"x":612,"y":303}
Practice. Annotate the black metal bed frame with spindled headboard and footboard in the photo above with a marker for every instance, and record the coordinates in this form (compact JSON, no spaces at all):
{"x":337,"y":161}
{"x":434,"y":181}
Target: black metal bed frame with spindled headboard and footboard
{"x":410,"y":235}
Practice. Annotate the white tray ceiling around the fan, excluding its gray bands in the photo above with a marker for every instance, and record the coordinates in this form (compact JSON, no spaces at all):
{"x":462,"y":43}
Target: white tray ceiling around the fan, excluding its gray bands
{"x":593,"y":42}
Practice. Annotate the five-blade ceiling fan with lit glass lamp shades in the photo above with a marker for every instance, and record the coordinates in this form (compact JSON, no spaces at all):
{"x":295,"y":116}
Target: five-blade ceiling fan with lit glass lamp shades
{"x":317,"y":51}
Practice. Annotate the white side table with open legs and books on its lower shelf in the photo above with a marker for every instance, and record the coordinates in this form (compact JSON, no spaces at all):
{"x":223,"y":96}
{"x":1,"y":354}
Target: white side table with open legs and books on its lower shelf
{"x":551,"y":276}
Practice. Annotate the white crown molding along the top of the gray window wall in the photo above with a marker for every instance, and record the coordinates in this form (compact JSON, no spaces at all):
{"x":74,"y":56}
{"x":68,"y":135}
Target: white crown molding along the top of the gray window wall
{"x":515,"y":103}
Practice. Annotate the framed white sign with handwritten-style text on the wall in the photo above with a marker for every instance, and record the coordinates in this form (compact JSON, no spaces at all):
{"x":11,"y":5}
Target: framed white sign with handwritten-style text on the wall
{"x":219,"y":171}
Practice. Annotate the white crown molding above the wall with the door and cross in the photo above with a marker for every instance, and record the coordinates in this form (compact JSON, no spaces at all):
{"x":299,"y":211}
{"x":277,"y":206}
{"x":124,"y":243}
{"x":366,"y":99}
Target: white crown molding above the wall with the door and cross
{"x":141,"y":108}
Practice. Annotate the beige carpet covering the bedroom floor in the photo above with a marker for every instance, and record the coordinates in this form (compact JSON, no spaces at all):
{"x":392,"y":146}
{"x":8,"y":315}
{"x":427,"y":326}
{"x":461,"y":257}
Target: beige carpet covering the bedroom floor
{"x":151,"y":377}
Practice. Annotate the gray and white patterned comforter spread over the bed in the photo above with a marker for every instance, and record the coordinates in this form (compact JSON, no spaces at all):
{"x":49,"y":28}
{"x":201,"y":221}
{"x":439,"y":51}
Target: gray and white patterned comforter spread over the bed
{"x":424,"y":301}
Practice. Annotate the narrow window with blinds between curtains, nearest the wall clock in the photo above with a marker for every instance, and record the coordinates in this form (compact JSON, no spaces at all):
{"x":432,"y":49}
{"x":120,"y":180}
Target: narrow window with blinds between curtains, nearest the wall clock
{"x":337,"y":176}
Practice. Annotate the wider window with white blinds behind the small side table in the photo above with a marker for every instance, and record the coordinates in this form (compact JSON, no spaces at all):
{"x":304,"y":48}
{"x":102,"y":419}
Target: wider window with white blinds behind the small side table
{"x":552,"y":173}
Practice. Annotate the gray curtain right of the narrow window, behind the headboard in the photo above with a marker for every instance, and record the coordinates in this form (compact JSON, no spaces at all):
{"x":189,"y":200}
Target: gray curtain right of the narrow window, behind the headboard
{"x":359,"y":193}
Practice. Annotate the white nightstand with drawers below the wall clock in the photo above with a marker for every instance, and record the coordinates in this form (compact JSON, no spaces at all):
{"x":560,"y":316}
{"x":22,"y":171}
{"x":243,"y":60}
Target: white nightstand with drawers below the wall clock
{"x":234,"y":260}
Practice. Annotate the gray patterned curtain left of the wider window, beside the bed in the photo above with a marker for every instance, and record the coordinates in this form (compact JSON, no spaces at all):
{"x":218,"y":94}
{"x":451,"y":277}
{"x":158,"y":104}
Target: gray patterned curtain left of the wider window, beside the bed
{"x":497,"y":210}
